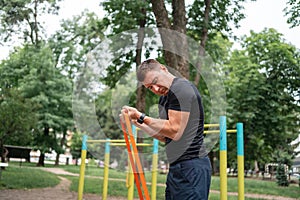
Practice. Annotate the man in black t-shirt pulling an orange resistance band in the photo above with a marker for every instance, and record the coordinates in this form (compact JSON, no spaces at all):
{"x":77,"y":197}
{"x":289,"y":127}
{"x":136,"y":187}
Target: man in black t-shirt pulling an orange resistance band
{"x":180,"y":126}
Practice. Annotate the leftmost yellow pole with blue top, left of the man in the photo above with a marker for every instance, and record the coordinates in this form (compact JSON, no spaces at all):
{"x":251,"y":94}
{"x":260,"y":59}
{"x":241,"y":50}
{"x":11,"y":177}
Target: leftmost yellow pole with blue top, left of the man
{"x":82,"y":168}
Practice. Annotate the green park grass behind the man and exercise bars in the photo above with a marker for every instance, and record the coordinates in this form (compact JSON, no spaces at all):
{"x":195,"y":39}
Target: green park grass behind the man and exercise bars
{"x":15,"y":177}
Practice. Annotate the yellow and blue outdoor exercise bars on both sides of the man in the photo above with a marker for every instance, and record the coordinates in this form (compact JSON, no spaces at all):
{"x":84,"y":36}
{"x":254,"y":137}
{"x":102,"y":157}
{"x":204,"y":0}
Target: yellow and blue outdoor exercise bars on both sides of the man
{"x":223,"y":160}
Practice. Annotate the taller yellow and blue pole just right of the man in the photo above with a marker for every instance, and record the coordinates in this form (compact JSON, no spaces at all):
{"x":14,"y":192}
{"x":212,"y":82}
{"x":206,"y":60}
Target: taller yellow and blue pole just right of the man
{"x":223,"y":159}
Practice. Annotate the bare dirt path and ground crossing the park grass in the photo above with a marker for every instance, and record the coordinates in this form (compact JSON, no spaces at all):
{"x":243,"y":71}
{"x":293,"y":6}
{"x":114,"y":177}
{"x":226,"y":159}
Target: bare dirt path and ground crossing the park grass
{"x":61,"y":192}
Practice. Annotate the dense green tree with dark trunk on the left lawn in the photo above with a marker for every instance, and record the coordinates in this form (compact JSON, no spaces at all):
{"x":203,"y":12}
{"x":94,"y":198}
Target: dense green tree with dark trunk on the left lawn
{"x":51,"y":92}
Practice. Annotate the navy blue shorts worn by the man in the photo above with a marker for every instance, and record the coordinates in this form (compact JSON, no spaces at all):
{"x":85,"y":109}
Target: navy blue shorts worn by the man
{"x":189,"y":180}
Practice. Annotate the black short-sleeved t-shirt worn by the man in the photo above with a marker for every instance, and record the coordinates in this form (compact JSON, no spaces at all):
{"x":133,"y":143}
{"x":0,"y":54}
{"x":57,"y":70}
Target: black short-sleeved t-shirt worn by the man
{"x":184,"y":96}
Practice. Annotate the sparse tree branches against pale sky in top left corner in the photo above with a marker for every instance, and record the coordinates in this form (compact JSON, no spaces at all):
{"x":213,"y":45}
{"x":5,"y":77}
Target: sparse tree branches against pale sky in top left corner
{"x":23,"y":16}
